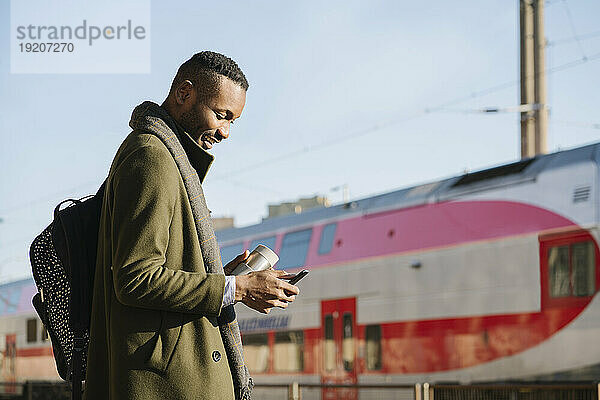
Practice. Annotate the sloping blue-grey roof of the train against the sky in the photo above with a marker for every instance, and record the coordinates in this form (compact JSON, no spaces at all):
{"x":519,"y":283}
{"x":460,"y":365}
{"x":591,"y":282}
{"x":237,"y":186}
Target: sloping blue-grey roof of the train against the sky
{"x":441,"y":190}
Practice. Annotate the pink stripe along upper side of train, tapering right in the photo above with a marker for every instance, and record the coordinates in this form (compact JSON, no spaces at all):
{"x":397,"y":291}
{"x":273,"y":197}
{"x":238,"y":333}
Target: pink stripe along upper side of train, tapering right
{"x":431,"y":226}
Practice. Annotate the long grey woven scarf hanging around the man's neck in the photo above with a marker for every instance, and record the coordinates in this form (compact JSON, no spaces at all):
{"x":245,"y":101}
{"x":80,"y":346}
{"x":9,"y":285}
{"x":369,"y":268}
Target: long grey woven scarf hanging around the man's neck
{"x":150,"y":117}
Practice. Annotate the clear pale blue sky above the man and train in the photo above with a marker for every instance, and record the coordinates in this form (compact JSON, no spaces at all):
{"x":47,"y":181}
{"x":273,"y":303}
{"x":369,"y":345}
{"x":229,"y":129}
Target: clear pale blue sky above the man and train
{"x":319,"y":71}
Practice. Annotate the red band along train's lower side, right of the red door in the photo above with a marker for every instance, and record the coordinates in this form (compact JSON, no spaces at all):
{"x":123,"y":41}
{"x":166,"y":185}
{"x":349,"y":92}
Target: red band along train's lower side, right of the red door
{"x":450,"y":344}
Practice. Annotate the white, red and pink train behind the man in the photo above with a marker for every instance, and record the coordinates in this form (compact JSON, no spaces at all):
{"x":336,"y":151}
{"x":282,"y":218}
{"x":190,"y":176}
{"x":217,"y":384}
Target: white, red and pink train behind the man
{"x":487,"y":276}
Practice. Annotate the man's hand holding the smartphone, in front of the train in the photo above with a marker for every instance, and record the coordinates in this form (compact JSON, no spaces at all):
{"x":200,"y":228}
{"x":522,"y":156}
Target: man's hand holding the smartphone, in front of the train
{"x":264,"y":290}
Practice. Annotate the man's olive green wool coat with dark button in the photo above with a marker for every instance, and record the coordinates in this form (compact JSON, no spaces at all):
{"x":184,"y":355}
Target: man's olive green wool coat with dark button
{"x":154,"y":333}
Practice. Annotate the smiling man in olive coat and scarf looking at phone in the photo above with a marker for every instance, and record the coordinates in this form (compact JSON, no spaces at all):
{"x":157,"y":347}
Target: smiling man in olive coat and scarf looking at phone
{"x":163,"y":325}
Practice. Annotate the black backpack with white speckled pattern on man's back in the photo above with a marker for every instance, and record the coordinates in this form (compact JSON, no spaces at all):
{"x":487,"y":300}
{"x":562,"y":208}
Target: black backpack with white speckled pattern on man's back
{"x":63,"y":261}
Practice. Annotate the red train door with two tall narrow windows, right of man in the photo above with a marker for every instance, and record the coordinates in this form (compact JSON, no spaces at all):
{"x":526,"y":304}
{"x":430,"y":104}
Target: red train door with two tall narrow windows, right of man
{"x":338,"y":333}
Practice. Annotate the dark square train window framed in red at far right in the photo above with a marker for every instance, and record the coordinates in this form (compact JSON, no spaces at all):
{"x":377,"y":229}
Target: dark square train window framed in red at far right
{"x":572,"y":270}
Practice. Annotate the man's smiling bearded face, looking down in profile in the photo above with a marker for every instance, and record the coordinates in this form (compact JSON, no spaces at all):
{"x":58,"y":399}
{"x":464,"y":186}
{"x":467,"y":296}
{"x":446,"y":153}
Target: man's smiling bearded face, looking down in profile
{"x":209,"y":119}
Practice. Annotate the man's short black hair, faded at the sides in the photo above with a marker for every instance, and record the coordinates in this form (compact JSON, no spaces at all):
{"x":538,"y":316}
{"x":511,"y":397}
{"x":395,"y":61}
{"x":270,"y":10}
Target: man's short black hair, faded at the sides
{"x":204,"y":68}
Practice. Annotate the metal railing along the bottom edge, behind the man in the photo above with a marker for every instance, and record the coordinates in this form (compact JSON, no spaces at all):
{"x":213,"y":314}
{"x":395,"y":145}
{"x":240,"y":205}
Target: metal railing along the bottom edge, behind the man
{"x":48,"y":390}
